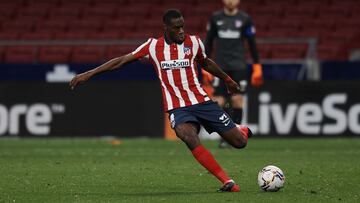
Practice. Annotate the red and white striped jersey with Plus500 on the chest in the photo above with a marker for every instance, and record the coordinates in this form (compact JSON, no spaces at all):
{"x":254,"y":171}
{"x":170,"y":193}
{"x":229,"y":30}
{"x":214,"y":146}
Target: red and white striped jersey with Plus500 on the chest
{"x":176,"y":68}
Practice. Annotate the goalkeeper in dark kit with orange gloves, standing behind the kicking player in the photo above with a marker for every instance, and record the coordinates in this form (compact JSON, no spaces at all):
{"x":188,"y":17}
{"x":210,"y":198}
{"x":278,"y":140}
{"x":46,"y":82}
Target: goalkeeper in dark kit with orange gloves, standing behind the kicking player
{"x":230,"y":28}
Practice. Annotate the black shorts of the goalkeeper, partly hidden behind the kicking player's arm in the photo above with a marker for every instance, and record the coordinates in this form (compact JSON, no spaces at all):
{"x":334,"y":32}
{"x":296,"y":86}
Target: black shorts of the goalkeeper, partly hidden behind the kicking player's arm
{"x":239,"y":76}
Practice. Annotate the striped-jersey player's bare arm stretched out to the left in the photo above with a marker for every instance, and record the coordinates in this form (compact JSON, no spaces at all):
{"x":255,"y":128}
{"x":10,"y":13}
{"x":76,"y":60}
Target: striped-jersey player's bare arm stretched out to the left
{"x":108,"y":66}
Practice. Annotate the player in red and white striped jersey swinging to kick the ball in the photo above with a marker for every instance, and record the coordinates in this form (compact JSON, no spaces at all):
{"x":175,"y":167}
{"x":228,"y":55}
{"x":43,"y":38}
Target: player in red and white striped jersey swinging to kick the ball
{"x":174,"y":58}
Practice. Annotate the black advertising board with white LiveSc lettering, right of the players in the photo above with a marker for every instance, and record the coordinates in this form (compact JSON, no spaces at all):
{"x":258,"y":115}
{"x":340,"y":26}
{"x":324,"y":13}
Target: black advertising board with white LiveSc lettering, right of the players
{"x":326,"y":108}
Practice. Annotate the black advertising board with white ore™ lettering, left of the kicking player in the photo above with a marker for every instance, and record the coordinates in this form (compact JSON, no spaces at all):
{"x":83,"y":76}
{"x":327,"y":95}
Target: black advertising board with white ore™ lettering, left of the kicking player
{"x":41,"y":109}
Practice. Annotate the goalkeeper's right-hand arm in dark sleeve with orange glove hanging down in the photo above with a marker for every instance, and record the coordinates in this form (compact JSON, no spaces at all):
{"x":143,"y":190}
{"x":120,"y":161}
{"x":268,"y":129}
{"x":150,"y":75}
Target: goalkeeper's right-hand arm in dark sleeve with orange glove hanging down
{"x":257,"y":76}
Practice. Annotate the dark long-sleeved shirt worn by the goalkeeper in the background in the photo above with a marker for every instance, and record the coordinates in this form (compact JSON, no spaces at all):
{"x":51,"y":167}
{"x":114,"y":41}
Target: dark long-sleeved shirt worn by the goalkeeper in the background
{"x":230,"y":33}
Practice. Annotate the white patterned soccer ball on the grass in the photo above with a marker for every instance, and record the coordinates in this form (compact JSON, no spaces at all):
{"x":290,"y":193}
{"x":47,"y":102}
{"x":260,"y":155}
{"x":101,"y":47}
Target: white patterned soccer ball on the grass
{"x":271,"y":178}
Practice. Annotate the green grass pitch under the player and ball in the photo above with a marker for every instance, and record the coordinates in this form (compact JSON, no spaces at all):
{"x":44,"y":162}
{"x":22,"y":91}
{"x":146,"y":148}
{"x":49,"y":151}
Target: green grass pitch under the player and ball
{"x":154,"y":170}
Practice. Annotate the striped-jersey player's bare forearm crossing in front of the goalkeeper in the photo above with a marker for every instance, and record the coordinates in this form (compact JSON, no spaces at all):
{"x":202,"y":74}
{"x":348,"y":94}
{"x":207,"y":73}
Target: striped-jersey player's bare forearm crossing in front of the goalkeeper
{"x":211,"y":67}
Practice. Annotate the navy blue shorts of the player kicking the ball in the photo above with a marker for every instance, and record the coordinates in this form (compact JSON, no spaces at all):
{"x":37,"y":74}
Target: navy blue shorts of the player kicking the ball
{"x":208,"y":114}
